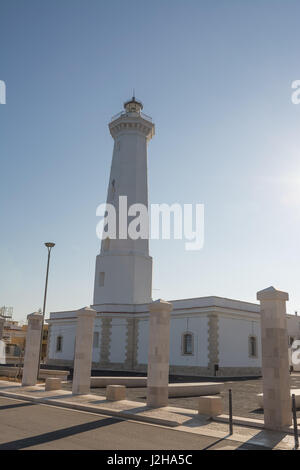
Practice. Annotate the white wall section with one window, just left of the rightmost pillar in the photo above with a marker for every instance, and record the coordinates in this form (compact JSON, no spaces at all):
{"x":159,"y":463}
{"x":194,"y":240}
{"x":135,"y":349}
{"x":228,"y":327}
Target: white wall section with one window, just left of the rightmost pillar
{"x":233,"y":342}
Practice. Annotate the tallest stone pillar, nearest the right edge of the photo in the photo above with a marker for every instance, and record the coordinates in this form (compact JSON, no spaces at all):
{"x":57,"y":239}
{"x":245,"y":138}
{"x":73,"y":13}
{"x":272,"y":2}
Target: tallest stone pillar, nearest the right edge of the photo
{"x":275,"y":361}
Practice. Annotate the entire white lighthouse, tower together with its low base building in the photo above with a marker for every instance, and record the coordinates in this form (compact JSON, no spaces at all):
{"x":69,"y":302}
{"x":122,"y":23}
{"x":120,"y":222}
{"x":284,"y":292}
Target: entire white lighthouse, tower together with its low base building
{"x":207,"y":333}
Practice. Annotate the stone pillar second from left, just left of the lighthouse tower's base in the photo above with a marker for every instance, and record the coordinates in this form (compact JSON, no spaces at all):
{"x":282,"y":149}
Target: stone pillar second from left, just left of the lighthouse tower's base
{"x":83,"y":351}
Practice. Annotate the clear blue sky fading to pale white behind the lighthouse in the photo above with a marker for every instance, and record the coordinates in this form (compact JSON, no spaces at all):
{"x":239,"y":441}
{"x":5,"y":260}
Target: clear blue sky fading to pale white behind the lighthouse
{"x":216,"y":78}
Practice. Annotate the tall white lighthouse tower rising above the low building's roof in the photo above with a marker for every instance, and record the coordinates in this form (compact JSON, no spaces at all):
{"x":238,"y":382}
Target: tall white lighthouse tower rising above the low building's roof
{"x":124,"y":268}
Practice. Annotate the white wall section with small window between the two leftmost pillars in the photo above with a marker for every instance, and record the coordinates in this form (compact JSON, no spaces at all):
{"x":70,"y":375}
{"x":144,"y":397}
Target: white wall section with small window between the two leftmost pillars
{"x":68,"y":333}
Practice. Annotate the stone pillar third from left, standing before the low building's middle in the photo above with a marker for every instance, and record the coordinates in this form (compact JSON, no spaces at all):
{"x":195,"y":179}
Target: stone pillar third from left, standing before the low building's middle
{"x":159,"y":351}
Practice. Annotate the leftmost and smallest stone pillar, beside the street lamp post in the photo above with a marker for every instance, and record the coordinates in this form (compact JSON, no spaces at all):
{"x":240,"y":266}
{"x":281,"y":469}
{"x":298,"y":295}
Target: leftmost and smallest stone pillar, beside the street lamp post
{"x":32,"y":349}
